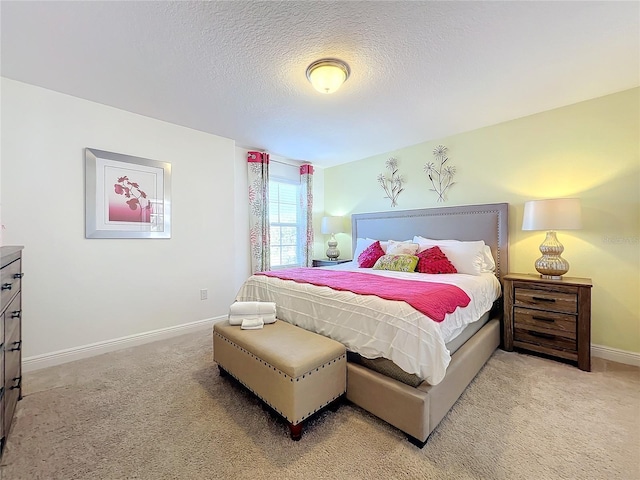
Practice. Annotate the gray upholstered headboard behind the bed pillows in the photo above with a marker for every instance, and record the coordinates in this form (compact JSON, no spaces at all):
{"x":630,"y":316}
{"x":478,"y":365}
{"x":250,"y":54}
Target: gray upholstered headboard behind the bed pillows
{"x":488,"y":222}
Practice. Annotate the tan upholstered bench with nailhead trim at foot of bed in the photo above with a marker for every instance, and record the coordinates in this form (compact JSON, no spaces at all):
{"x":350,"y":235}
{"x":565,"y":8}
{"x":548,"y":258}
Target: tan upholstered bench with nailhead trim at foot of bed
{"x":294,"y":371}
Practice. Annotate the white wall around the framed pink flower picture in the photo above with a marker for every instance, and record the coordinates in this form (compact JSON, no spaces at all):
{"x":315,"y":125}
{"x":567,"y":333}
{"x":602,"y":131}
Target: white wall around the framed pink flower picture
{"x":78,"y":291}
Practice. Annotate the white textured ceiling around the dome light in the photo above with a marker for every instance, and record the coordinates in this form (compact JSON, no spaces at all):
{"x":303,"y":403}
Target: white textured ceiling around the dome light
{"x":420,"y":70}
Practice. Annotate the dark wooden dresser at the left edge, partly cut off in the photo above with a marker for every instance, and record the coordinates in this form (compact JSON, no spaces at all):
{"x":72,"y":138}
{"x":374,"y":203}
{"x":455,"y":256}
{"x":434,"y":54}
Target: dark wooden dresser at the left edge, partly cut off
{"x":10,"y":337}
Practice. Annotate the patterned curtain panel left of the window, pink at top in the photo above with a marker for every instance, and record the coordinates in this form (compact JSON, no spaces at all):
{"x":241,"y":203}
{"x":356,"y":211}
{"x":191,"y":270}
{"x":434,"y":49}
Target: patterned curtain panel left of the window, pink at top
{"x":258,"y":168}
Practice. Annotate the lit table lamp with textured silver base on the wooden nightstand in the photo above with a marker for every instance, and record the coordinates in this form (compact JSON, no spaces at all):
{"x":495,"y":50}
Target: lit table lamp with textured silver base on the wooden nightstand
{"x":551,"y":215}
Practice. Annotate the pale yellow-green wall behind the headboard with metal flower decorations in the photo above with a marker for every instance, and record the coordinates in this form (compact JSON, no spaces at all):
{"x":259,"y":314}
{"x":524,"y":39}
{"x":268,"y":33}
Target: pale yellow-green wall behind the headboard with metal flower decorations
{"x":588,"y":150}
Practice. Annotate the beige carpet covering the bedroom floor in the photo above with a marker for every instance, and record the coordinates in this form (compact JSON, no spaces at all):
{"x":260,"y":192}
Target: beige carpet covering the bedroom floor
{"x":161,"y":411}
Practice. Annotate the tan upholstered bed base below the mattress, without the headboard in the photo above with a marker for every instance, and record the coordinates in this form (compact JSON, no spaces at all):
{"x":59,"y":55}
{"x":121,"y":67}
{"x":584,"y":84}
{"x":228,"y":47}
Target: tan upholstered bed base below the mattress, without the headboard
{"x":417,"y":411}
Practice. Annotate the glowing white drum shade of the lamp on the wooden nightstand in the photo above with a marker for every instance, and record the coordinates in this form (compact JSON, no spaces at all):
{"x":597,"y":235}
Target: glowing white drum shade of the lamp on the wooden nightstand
{"x":553,"y":214}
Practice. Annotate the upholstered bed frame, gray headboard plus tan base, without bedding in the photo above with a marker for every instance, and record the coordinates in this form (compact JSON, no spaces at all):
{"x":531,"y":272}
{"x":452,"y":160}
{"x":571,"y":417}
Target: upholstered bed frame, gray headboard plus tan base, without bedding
{"x":418,"y":411}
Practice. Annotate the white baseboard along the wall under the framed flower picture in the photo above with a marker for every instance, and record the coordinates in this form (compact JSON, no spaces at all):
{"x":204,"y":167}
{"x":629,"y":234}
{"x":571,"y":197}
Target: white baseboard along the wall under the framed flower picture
{"x":37,"y":362}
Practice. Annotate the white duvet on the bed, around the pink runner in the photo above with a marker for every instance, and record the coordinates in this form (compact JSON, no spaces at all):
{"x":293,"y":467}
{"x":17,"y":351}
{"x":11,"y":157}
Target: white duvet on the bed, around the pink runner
{"x":372,"y":326}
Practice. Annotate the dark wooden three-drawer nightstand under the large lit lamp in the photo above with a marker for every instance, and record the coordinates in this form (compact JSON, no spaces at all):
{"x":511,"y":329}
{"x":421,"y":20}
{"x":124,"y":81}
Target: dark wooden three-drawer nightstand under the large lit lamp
{"x":552,"y":317}
